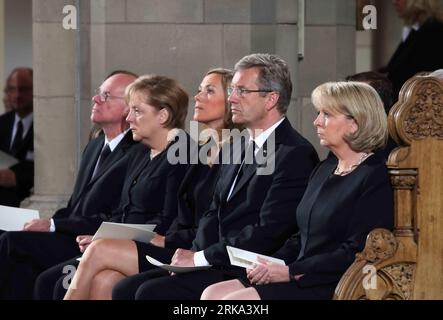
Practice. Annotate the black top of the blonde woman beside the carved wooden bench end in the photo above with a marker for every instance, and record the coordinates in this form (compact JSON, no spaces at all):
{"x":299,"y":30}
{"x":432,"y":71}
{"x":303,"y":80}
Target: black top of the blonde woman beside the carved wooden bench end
{"x":334,"y":217}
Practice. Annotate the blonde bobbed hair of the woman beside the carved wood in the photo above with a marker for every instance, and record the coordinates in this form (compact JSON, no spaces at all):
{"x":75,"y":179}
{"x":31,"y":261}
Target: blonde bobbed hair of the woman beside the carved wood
{"x":363,"y":104}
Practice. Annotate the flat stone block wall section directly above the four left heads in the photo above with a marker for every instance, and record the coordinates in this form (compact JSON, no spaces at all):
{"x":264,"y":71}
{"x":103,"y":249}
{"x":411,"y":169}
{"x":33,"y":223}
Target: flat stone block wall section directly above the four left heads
{"x":183,"y":39}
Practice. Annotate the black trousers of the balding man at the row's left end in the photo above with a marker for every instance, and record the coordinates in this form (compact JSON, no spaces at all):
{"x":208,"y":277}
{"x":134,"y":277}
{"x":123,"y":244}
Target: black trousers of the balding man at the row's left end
{"x":24,"y":255}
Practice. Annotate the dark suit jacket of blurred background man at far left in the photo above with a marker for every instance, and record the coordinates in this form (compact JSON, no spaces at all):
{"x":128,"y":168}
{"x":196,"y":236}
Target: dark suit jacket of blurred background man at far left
{"x":24,"y":170}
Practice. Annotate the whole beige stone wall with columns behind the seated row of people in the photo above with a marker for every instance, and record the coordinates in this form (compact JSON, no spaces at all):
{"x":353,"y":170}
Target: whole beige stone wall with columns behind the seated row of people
{"x":177,"y":38}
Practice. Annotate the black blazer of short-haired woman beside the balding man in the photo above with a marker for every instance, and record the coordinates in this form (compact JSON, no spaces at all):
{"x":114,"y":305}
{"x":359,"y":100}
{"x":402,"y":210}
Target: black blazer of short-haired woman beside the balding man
{"x":149,"y":194}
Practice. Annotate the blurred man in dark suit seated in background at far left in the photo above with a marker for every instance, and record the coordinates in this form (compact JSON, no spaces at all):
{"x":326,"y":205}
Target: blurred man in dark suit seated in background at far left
{"x":17,"y":139}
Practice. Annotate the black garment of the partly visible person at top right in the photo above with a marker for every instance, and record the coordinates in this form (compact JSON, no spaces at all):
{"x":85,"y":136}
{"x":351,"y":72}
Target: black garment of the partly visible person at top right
{"x":422,"y":51}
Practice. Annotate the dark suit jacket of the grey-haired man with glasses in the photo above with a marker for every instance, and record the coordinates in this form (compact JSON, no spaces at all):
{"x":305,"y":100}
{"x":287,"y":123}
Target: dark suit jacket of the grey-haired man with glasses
{"x":260,"y":214}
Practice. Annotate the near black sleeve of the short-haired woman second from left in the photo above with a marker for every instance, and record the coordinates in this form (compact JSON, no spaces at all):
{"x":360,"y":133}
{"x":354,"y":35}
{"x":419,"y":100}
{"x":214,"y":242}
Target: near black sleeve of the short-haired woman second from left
{"x":169,"y":213}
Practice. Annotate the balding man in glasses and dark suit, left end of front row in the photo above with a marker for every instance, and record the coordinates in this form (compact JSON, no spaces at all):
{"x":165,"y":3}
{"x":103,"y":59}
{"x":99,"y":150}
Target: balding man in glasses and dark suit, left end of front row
{"x":97,"y":191}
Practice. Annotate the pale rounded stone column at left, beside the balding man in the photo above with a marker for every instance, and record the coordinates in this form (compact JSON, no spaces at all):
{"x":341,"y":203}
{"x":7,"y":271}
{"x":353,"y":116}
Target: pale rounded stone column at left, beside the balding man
{"x":58,"y":115}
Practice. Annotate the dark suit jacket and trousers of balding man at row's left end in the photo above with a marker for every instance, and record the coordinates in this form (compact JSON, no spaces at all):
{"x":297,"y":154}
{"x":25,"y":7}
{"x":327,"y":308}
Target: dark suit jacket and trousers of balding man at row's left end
{"x":23,"y":255}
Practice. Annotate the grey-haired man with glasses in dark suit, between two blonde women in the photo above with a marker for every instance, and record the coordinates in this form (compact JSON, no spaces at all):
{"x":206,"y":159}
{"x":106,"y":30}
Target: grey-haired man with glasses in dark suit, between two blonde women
{"x":254,"y":203}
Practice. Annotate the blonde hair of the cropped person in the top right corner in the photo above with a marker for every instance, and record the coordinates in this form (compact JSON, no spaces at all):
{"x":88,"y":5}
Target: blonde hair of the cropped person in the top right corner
{"x":417,"y":11}
